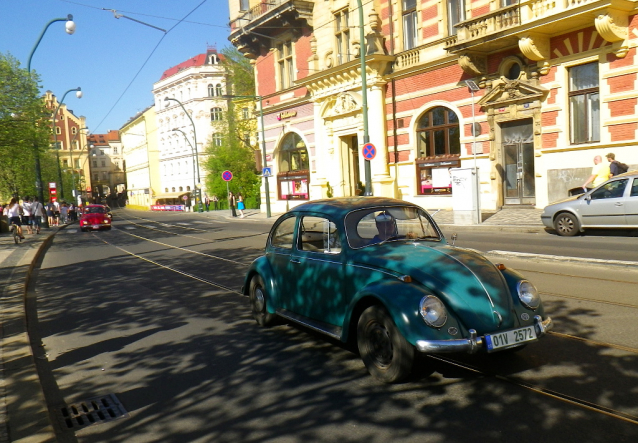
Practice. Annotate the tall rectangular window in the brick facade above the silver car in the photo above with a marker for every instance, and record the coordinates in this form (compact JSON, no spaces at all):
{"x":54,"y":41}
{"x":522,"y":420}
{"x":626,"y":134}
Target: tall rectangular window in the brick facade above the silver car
{"x":584,"y":103}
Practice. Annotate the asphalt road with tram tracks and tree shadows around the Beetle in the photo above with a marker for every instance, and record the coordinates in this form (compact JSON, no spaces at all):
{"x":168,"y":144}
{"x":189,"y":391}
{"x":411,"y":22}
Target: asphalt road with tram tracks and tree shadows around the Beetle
{"x":151,"y":313}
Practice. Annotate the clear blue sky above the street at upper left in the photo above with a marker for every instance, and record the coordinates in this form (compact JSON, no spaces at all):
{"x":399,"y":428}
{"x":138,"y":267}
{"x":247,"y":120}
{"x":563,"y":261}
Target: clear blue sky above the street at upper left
{"x":114,"y":61}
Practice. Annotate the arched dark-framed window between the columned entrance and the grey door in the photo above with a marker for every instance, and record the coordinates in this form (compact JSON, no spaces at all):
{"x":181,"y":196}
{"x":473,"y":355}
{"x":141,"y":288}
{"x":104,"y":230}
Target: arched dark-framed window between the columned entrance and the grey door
{"x":438,"y":149}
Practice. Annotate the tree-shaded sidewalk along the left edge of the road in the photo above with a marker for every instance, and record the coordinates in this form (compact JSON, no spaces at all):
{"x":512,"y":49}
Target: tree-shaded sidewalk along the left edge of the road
{"x":24,"y":417}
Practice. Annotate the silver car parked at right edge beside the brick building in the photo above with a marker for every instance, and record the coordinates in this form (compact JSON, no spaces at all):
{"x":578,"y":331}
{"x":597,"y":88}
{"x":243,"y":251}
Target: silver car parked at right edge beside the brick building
{"x":613,"y":204}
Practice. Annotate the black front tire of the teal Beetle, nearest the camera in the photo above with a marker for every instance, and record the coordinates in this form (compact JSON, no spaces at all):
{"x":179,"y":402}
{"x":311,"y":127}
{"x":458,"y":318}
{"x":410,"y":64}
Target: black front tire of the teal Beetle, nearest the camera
{"x":385,"y":352}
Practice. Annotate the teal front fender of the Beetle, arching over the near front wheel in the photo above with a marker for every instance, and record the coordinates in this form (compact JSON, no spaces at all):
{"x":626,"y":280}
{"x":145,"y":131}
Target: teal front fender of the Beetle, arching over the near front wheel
{"x":402,"y":302}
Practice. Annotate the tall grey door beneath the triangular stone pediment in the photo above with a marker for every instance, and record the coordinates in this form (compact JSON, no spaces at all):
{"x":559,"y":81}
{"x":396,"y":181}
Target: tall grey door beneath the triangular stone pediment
{"x":519,"y":187}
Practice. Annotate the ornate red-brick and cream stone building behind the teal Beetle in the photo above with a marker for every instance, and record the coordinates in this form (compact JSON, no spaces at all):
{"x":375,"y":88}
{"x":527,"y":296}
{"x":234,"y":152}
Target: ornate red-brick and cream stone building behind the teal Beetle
{"x":527,"y":91}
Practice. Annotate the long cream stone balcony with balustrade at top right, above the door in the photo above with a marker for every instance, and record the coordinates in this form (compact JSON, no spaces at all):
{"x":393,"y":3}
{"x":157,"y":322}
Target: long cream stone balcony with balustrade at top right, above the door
{"x":501,"y":28}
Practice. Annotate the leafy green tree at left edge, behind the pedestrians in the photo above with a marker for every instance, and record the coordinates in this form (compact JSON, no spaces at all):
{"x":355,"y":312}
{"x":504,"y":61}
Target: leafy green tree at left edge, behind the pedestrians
{"x":24,"y":125}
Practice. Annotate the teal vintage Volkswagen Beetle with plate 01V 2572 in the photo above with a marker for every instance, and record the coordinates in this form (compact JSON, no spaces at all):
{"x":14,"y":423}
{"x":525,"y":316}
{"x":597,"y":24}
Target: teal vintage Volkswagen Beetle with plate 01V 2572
{"x":378,"y":272}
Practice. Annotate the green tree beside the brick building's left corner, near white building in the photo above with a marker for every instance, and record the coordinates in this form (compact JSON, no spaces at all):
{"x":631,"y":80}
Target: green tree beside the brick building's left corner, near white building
{"x":229,"y":149}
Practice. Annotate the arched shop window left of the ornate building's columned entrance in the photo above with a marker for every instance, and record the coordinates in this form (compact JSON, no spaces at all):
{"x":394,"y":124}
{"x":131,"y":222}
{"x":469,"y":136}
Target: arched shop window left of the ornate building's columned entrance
{"x":294,"y":168}
